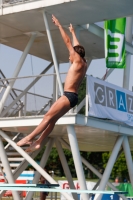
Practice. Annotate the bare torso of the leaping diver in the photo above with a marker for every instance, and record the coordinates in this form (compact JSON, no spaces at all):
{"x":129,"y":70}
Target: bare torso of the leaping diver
{"x":75,"y":76}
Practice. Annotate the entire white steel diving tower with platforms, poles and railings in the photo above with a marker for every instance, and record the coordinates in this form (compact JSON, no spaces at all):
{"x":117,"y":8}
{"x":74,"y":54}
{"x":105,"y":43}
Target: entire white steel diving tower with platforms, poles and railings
{"x":27,"y":26}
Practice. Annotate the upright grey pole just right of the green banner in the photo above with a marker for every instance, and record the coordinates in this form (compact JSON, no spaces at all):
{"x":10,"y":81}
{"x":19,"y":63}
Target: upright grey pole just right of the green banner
{"x":128,"y":36}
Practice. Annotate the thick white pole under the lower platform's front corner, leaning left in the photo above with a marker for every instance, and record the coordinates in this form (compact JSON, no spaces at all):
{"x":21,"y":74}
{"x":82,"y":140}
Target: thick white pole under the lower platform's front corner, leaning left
{"x":77,"y":159}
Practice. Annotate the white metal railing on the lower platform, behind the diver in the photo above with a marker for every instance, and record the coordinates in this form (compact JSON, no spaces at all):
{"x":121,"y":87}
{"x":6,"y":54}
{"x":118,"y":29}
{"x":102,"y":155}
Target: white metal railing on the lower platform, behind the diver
{"x":30,"y":103}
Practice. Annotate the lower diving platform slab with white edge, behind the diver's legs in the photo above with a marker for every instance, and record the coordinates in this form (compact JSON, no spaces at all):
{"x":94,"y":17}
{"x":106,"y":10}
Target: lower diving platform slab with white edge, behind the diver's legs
{"x":93,"y":134}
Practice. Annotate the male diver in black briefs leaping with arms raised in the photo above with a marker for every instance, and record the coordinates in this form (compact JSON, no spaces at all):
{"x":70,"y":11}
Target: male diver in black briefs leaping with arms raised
{"x":74,"y":77}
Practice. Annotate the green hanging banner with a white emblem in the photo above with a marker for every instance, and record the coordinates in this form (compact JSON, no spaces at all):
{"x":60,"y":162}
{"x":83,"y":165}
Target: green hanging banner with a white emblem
{"x":115,"y":43}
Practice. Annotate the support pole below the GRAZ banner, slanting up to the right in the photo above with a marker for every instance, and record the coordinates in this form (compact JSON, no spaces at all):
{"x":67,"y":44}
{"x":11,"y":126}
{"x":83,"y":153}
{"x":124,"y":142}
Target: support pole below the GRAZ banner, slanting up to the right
{"x":109,"y":166}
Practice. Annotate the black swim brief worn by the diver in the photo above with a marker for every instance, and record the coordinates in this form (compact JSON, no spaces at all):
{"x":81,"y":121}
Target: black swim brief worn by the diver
{"x":72,"y":97}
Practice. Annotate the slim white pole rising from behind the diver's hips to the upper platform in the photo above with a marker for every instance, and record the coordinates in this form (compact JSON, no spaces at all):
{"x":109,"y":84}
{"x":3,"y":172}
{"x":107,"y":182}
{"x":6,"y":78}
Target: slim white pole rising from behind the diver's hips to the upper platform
{"x":53,"y":52}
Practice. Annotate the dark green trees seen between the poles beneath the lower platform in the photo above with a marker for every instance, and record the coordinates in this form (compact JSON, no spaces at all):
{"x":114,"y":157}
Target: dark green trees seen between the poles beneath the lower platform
{"x":98,"y":159}
